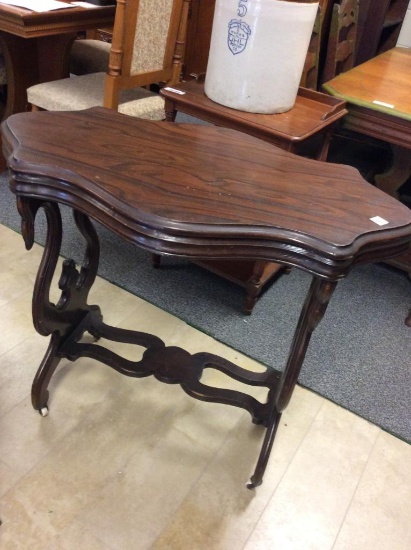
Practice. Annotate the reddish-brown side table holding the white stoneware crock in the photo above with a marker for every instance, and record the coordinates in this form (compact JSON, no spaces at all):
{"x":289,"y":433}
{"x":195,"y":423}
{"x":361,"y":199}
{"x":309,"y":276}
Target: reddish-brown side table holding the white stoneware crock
{"x":313,"y":116}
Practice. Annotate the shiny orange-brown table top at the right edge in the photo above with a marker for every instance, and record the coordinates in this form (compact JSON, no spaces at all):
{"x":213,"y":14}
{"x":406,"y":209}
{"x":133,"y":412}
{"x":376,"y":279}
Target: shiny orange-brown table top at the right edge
{"x":381,"y":84}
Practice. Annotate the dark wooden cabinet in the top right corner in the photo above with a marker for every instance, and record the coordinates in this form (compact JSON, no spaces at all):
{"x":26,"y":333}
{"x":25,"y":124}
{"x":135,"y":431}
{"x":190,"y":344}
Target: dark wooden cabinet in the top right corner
{"x":379,"y":26}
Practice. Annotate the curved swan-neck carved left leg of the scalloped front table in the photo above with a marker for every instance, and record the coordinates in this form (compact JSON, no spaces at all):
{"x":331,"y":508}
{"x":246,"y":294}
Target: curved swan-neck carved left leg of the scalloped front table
{"x":62,"y":319}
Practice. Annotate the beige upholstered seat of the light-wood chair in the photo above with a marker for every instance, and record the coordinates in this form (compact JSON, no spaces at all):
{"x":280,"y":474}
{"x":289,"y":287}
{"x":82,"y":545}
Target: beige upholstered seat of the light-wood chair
{"x":83,"y":92}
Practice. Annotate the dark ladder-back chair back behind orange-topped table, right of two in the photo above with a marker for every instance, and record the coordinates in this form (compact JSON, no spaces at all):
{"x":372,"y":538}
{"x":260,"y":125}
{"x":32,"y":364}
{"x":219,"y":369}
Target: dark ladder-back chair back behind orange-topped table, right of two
{"x":340,"y":55}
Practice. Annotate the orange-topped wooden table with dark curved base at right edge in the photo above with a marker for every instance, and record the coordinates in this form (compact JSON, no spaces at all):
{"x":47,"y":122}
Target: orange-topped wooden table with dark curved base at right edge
{"x":379,"y":105}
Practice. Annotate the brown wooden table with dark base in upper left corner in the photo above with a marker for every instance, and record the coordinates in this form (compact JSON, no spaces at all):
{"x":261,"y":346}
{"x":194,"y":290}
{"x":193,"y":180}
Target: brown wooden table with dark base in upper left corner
{"x":36,"y":46}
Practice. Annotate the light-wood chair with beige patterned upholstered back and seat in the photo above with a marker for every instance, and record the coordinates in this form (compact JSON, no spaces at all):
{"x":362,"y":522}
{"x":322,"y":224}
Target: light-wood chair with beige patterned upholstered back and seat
{"x":147,"y":48}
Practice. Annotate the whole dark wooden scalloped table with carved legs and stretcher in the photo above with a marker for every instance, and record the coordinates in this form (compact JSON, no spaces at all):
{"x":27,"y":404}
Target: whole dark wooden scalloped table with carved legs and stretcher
{"x":198,"y":192}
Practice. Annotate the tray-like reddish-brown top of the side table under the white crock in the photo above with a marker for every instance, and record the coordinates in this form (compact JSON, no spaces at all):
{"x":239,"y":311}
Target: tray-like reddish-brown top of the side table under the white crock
{"x":312,"y":111}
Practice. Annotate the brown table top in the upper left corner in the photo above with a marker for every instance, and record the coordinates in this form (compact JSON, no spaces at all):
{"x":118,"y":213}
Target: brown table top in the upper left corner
{"x":30,"y":24}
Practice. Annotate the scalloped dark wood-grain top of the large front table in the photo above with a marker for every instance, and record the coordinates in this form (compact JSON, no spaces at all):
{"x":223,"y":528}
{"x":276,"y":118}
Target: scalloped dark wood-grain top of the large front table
{"x":202,"y":191}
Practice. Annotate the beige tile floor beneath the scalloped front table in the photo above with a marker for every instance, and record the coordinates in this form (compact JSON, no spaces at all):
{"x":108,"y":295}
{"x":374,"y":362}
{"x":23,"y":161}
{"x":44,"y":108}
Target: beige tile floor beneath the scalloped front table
{"x":127,"y":464}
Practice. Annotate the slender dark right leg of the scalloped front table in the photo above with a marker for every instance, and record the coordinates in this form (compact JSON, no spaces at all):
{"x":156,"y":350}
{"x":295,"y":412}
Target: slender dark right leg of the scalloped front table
{"x":312,"y":312}
